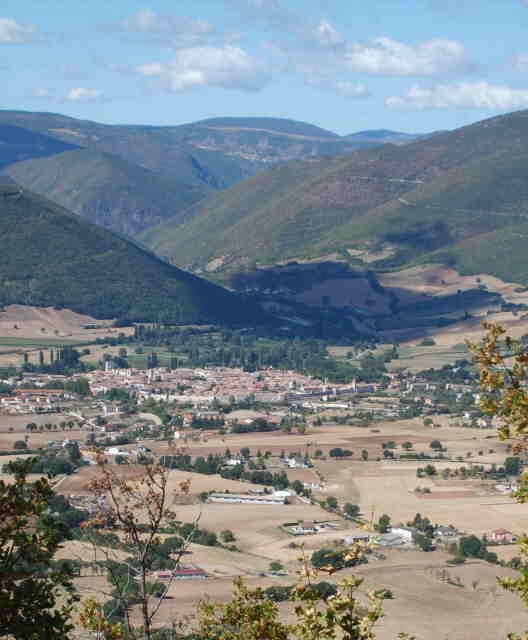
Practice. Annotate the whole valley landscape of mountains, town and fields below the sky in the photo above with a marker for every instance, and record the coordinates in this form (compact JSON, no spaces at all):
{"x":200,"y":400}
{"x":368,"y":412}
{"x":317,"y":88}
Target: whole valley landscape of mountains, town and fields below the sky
{"x":279,"y":324}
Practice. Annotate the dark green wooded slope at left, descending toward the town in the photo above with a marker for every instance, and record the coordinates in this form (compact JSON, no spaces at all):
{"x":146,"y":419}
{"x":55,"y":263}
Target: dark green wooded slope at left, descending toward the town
{"x":53,"y":258}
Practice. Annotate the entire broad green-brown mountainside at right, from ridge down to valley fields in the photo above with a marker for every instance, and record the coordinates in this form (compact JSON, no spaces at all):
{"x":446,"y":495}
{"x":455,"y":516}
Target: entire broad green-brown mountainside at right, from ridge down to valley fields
{"x":416,"y":200}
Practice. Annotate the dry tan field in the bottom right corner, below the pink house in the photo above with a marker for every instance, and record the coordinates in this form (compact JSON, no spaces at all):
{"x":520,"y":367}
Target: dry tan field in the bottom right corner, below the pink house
{"x":431,"y":598}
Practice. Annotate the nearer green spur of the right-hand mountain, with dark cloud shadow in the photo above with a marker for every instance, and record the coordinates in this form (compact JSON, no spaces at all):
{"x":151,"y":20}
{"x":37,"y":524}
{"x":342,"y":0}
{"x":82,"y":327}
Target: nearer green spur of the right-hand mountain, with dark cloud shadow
{"x":485,"y":195}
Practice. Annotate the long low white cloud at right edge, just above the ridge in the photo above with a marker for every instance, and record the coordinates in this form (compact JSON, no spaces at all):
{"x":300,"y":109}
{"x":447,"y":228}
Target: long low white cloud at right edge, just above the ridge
{"x":464,"y":95}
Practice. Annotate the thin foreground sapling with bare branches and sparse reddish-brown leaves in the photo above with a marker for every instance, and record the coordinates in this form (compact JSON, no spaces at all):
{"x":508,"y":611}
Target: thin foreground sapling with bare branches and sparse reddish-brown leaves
{"x":137,"y":508}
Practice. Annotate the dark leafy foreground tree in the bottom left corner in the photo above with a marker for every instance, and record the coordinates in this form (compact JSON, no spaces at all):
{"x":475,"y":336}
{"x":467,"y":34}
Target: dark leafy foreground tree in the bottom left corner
{"x":36,"y":596}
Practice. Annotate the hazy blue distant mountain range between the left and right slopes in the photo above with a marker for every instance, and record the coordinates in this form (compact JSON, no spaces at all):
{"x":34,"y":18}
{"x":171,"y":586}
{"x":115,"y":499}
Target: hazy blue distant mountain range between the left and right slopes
{"x":130,"y":178}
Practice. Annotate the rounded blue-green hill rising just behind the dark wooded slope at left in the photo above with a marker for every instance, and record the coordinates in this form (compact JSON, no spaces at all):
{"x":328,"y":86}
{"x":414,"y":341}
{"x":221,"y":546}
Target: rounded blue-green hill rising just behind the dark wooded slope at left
{"x":105,"y":189}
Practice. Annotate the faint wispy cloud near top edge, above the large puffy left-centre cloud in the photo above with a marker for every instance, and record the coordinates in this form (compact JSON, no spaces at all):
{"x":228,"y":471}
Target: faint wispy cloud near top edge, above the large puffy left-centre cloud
{"x":178,"y":31}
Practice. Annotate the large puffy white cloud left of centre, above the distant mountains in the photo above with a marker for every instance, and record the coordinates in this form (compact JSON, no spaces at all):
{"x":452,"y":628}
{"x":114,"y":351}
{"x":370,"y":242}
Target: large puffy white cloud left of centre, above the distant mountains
{"x":228,"y":67}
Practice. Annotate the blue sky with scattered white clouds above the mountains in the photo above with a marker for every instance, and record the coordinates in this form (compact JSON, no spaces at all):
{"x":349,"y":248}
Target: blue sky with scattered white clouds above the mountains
{"x":344,"y":65}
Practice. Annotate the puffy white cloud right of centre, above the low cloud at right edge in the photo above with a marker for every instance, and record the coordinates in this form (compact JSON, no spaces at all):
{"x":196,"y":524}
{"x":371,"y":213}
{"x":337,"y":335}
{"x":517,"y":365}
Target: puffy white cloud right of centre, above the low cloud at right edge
{"x":388,"y":57}
